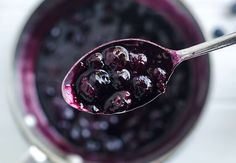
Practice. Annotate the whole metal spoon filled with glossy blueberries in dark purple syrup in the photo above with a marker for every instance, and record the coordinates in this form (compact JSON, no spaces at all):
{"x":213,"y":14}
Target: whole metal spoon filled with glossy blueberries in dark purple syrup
{"x":126,"y":74}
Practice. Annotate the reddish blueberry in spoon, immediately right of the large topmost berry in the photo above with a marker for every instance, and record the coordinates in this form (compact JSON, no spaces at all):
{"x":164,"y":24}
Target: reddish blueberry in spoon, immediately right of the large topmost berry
{"x":138,"y":62}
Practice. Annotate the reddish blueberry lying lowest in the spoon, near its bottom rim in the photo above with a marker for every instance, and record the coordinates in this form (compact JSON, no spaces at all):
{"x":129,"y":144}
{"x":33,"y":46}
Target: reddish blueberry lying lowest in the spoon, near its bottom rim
{"x":119,"y":101}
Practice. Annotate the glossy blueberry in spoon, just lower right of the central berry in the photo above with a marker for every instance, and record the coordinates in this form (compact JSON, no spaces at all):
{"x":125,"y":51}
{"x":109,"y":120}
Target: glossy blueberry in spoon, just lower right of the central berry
{"x":142,"y":86}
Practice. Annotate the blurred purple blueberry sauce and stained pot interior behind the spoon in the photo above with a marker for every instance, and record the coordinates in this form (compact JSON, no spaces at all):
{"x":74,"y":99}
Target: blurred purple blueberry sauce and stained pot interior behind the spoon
{"x":59,"y":33}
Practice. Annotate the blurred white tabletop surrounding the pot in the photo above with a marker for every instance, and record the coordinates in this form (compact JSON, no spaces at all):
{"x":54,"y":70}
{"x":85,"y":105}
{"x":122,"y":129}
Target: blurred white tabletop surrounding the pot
{"x":214,"y":138}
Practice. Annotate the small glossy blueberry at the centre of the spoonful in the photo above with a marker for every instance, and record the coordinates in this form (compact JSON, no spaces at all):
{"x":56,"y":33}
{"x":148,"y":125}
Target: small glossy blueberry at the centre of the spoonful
{"x":120,"y":79}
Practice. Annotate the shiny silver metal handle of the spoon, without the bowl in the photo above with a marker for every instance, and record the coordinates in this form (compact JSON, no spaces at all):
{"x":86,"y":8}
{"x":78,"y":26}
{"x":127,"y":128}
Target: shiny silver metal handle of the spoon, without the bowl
{"x":207,"y":46}
